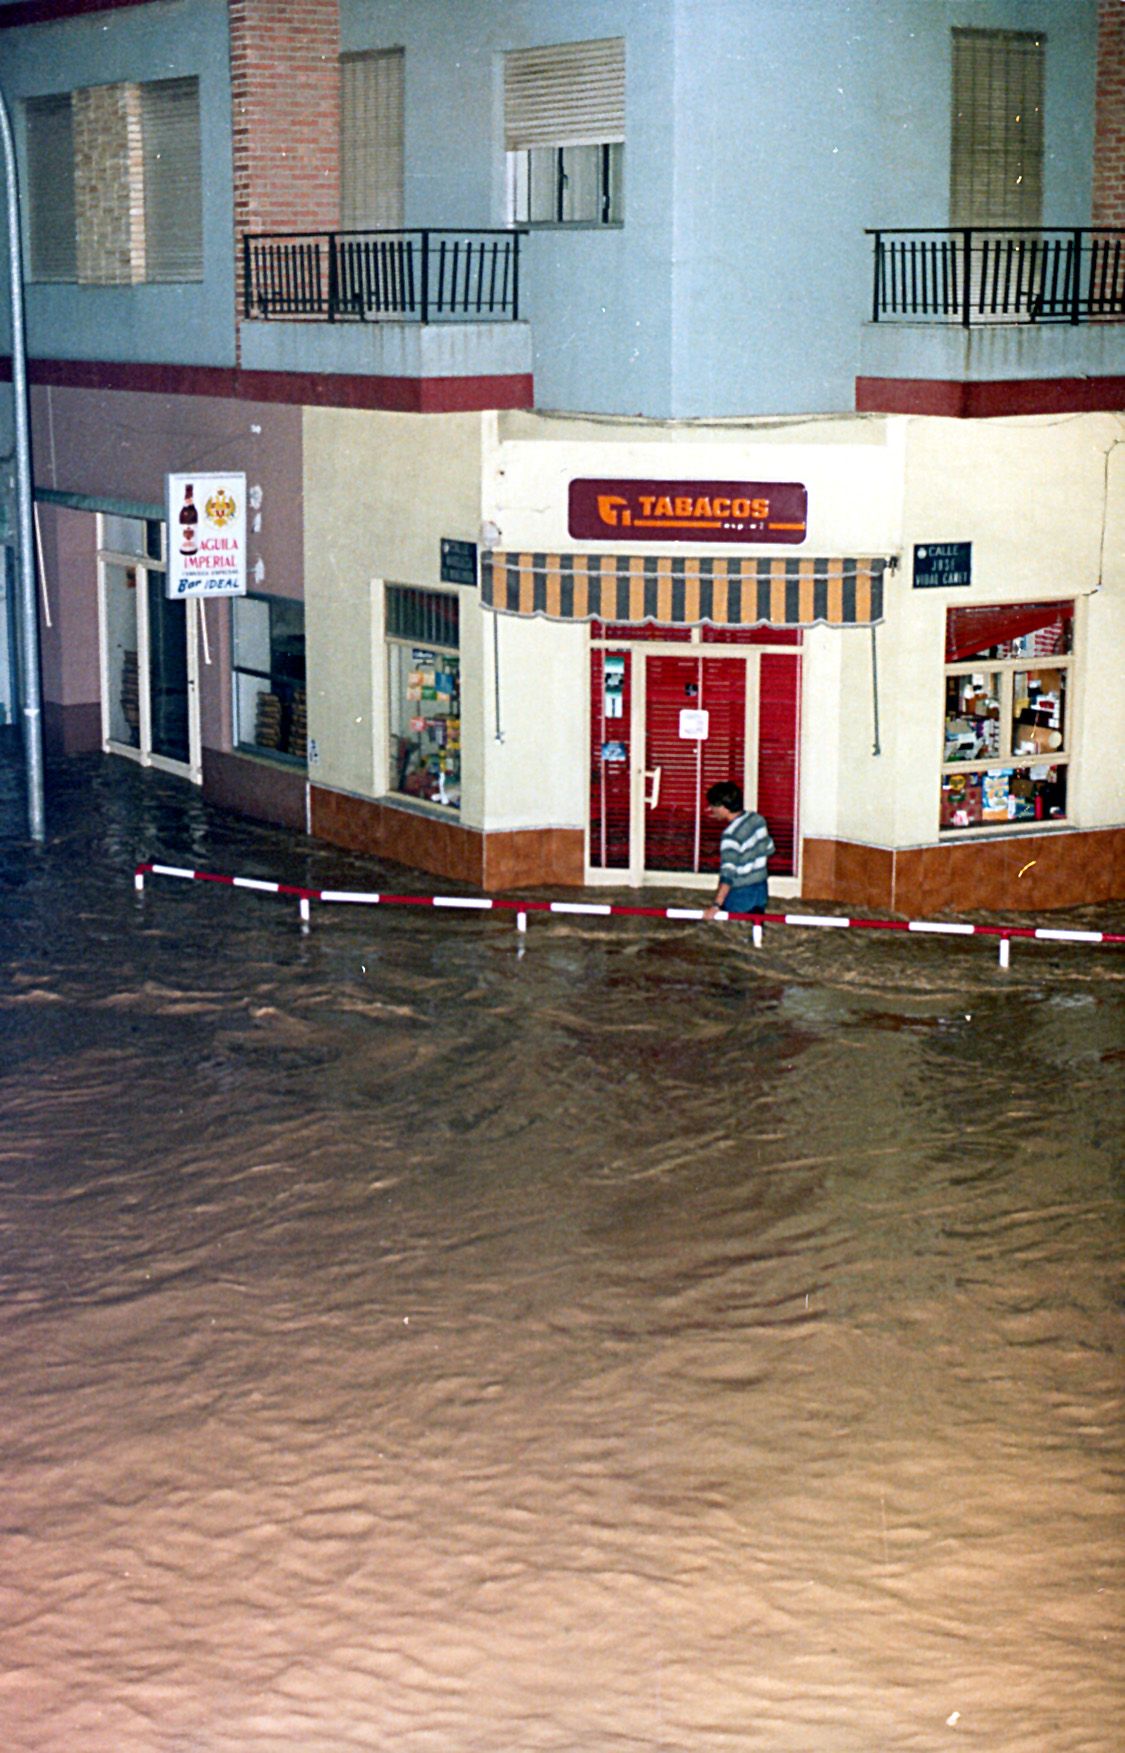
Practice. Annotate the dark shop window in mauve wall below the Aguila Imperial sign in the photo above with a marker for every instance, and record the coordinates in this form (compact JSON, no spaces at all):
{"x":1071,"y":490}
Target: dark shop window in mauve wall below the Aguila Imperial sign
{"x":269,"y":674}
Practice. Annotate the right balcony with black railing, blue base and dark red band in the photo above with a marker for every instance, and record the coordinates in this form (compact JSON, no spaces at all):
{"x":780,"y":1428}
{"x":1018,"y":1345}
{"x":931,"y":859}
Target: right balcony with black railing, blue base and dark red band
{"x":996,"y":306}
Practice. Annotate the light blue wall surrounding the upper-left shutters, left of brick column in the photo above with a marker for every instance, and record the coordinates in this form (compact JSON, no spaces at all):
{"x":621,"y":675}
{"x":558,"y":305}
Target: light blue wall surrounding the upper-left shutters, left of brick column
{"x":192,"y":323}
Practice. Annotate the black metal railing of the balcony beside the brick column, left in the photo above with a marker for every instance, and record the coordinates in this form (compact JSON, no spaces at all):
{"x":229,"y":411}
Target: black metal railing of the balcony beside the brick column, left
{"x":383,"y":276}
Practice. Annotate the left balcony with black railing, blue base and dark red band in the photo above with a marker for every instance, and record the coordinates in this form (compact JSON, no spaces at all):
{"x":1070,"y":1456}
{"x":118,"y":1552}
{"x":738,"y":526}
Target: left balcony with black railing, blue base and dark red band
{"x":390,"y":306}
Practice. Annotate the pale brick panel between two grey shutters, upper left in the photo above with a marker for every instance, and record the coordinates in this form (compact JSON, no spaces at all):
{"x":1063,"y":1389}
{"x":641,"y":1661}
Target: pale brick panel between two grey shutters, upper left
{"x":110,"y":185}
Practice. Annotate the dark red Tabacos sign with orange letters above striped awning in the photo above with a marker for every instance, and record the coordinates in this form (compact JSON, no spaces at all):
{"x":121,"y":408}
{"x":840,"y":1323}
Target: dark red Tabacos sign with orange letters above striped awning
{"x":690,"y":511}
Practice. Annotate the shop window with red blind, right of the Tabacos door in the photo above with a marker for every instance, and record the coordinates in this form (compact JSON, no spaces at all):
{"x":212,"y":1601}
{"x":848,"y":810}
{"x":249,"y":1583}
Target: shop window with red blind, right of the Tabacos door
{"x":1007,"y":714}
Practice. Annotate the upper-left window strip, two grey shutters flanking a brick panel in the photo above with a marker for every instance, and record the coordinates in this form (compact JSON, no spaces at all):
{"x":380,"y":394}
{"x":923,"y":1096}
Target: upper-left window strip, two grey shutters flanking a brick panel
{"x":115,"y":185}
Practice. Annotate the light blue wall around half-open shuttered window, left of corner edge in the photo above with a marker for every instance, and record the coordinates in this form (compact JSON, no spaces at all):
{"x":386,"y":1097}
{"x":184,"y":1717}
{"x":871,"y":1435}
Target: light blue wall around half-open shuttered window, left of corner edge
{"x":600,"y":301}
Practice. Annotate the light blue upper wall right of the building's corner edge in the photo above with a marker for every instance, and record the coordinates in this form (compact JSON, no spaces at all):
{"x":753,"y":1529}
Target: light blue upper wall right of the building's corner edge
{"x":800,"y":125}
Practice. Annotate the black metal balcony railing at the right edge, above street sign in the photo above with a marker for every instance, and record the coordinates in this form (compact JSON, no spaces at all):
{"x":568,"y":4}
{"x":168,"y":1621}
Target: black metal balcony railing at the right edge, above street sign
{"x":986,"y":276}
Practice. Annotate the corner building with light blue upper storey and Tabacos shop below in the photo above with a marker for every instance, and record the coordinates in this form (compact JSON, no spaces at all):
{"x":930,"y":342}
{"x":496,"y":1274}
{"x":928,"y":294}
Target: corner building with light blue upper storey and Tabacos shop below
{"x":628,"y":397}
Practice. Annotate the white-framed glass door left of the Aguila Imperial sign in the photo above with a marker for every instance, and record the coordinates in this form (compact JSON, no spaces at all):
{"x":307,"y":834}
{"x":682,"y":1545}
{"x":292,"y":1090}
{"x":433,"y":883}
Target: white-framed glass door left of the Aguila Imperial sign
{"x":150,"y":681}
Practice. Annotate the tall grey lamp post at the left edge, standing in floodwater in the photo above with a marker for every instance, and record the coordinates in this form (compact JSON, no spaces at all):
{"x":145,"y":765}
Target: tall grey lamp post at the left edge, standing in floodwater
{"x":29,"y":614}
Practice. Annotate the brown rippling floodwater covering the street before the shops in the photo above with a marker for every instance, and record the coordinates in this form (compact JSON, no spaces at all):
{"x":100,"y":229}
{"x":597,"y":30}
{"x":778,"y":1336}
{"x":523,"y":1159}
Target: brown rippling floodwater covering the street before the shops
{"x":642,"y":1344}
